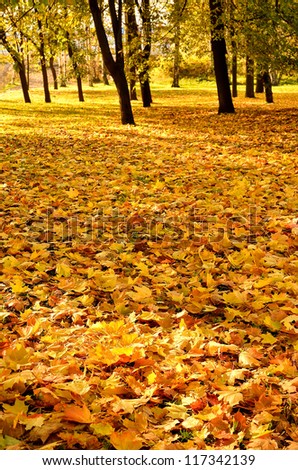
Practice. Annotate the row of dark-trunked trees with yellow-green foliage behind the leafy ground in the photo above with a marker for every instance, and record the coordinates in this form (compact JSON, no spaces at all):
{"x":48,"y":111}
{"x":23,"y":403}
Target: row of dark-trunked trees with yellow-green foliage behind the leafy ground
{"x":130,"y":37}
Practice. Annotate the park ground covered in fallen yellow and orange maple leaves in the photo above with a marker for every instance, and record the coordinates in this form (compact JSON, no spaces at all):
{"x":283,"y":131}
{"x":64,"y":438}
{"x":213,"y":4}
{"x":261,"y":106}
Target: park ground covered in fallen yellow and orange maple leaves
{"x":149,"y":273}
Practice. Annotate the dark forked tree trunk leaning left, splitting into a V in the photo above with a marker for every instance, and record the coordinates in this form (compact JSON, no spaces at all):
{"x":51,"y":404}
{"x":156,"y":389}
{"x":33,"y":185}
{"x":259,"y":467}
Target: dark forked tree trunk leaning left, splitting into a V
{"x":114,"y":66}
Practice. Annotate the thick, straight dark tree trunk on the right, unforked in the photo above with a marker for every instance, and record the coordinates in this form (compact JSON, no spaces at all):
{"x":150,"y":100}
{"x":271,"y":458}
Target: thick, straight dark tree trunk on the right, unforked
{"x":218,"y":45}
